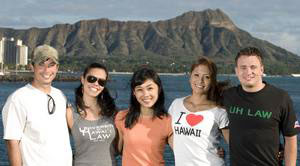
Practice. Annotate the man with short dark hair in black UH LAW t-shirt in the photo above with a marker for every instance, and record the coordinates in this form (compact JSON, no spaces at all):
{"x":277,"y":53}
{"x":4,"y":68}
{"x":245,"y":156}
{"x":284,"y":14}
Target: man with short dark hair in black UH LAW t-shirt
{"x":258,"y":112}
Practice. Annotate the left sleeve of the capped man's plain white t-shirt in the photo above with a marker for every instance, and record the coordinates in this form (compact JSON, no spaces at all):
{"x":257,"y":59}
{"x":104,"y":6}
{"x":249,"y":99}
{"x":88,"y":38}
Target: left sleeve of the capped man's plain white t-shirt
{"x":14,"y":119}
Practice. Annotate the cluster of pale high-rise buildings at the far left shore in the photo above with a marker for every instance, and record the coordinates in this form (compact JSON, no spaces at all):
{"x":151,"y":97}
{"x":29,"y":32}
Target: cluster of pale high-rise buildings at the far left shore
{"x":13,"y":52}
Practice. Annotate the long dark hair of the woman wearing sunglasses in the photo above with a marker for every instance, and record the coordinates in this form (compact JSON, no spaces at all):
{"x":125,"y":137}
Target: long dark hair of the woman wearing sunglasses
{"x":104,"y":99}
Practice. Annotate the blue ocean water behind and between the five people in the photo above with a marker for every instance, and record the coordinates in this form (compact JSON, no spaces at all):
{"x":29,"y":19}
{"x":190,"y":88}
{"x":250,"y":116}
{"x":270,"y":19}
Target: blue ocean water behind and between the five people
{"x":174,"y":87}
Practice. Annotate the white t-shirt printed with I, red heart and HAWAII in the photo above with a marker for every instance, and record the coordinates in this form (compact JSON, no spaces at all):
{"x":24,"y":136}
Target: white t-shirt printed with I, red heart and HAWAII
{"x":196,"y":135}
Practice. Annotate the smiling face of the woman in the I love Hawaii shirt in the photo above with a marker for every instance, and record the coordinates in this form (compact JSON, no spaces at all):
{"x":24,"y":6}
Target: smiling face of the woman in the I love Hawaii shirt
{"x":200,"y":80}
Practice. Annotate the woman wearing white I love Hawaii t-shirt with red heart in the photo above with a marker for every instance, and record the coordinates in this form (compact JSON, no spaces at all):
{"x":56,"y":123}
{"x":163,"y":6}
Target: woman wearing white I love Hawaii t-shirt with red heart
{"x":198,"y":120}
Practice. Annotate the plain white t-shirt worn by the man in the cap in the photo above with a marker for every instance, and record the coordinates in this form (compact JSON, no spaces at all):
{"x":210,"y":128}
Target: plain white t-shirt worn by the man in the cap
{"x":44,"y":138}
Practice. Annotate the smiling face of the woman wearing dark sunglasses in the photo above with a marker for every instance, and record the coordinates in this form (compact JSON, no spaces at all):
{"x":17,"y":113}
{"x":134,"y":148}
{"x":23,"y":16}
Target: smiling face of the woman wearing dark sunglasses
{"x":93,"y":89}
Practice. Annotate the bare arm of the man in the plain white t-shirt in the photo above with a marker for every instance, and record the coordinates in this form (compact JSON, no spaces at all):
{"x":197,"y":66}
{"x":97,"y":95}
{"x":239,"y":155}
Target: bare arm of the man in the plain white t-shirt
{"x":14,"y":154}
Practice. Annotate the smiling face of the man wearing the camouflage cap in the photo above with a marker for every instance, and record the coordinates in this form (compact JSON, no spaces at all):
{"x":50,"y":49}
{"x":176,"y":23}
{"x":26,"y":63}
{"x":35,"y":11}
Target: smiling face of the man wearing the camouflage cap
{"x":44,"y":73}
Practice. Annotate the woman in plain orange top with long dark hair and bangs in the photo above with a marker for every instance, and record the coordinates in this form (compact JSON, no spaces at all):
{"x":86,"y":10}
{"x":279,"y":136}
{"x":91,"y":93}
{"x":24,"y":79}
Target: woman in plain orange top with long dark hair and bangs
{"x":145,"y":128}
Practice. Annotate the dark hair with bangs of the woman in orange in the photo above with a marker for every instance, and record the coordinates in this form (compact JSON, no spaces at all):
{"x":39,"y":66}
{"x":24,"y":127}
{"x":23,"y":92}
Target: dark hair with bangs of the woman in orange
{"x":138,"y":78}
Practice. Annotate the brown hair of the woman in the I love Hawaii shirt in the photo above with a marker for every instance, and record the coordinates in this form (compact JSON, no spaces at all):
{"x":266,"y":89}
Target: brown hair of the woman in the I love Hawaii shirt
{"x":216,"y":89}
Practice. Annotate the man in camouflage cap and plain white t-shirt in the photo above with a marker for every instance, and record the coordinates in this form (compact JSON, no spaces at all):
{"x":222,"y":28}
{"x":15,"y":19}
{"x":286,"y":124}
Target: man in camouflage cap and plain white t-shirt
{"x":35,"y":127}
